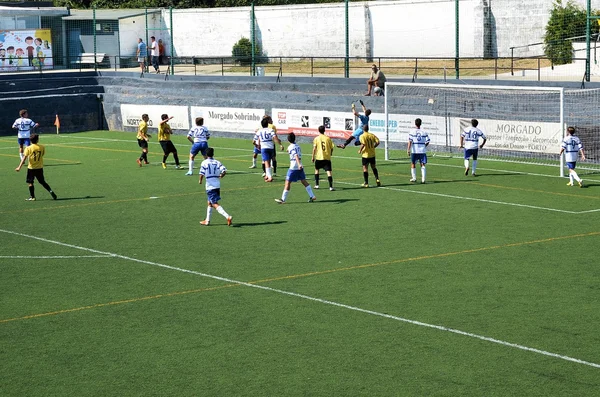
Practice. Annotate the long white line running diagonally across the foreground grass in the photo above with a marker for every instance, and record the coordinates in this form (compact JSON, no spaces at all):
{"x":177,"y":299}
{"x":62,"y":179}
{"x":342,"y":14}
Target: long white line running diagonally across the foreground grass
{"x":318,"y":300}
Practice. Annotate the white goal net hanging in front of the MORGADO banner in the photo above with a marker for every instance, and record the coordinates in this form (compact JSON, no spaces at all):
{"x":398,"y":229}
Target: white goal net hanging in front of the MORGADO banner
{"x":523,"y":124}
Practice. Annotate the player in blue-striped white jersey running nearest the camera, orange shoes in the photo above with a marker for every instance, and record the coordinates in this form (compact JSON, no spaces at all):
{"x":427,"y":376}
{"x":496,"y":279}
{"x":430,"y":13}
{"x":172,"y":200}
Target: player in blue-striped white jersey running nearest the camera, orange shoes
{"x":213,"y":171}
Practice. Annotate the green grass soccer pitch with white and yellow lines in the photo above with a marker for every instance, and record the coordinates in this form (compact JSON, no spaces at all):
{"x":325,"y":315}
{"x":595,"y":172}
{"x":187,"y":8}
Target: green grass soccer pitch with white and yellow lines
{"x":462,"y":286}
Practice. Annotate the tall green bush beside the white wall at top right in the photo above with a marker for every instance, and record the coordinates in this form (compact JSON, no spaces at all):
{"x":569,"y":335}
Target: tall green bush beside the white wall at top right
{"x":565,"y":24}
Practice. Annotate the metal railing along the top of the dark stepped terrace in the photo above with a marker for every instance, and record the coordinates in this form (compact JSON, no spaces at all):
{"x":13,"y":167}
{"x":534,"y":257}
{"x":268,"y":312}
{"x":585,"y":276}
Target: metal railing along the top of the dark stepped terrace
{"x":415,"y":67}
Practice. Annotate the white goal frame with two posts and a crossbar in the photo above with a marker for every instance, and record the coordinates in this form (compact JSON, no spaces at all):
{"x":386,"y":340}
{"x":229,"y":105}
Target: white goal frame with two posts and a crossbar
{"x":559,"y":90}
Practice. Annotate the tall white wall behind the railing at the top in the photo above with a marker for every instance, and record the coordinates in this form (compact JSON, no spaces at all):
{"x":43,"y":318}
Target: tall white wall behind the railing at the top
{"x":400,"y":28}
